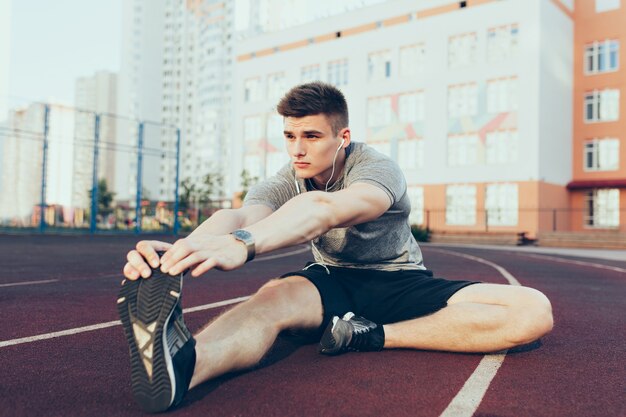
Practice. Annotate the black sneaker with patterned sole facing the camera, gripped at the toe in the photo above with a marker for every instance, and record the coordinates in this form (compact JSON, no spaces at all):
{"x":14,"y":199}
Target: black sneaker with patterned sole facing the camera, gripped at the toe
{"x":162,"y":350}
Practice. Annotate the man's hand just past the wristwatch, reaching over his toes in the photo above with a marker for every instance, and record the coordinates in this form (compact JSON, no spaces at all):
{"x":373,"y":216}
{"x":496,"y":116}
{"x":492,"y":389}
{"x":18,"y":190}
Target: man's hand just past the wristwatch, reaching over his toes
{"x":204,"y":252}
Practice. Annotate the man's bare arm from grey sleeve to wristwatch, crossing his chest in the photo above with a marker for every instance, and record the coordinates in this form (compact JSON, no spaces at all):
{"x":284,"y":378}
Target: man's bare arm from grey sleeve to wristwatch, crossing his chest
{"x":312,"y":214}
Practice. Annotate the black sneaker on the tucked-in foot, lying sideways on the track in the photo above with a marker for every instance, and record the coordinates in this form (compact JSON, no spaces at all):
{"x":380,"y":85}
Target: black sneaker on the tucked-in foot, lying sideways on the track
{"x":352,"y":333}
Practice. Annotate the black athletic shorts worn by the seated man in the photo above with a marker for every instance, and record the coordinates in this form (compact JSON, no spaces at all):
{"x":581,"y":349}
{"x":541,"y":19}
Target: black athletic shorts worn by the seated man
{"x":380,"y":296}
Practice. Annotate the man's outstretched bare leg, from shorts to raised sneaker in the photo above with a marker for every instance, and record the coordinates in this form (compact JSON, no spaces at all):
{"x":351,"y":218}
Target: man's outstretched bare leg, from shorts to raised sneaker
{"x":242,"y":336}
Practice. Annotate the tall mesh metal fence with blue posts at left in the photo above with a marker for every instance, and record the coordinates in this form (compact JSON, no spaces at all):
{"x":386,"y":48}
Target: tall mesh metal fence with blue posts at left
{"x":69,"y":169}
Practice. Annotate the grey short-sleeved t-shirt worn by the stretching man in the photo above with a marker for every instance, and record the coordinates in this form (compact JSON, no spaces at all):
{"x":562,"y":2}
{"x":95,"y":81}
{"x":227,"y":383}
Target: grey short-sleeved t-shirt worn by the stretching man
{"x":385,"y":243}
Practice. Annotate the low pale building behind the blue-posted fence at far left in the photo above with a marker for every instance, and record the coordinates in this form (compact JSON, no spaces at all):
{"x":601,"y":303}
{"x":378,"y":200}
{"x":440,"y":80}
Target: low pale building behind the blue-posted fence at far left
{"x":22,"y":165}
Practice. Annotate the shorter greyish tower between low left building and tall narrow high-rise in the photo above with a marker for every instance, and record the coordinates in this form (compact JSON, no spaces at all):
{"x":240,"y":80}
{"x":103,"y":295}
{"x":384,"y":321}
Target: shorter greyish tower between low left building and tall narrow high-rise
{"x":94,"y":95}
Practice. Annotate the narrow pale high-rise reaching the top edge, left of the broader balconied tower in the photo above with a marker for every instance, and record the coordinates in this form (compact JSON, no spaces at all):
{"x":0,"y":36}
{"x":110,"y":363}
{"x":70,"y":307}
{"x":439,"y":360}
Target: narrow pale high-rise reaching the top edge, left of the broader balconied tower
{"x":139,"y":95}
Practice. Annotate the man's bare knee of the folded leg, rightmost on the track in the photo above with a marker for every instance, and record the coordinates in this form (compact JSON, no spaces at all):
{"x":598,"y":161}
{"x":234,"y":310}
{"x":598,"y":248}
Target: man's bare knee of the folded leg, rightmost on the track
{"x":531,"y":316}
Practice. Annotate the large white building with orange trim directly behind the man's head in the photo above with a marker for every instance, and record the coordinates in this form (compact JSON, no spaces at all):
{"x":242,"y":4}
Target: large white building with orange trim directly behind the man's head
{"x":460,"y":94}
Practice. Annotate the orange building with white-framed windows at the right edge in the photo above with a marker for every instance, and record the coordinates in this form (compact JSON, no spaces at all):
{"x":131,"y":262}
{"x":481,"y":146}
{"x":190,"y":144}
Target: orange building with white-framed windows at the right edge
{"x":597,"y":189}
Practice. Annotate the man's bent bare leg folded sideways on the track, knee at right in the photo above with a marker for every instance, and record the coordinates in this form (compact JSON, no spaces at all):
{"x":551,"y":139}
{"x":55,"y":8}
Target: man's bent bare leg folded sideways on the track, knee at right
{"x":478,"y":318}
